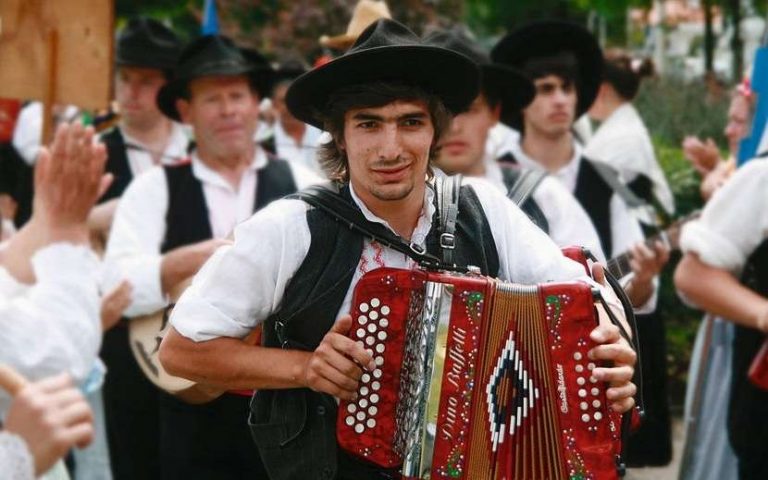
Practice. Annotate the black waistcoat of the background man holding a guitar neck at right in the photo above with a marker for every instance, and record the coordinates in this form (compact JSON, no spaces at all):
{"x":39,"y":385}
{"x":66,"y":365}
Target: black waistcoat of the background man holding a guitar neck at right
{"x":595,"y":195}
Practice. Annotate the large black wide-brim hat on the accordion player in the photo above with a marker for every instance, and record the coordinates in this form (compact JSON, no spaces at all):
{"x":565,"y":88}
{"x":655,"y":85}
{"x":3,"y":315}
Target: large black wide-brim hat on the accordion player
{"x":386,"y":51}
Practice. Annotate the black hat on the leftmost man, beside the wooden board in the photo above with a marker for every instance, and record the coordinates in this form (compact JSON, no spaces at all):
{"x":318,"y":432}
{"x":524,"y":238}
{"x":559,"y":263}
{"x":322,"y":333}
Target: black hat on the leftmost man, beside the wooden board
{"x":147,"y":43}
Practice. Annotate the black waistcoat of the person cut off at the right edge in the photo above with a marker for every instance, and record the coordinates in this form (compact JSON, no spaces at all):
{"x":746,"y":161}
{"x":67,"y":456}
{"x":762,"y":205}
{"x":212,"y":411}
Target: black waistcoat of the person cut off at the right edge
{"x":748,"y":408}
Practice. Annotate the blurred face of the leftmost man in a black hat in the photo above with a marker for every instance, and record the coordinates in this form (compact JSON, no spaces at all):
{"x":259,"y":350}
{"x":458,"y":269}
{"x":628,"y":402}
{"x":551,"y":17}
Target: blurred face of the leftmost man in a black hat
{"x":135,"y":91}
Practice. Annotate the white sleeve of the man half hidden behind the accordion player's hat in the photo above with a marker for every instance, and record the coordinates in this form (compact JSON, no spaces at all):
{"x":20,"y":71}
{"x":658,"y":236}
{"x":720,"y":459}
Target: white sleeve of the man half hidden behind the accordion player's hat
{"x":569,"y":224}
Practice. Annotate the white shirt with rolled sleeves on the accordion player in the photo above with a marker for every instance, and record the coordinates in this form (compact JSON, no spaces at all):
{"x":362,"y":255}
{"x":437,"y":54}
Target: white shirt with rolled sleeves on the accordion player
{"x":241,"y":285}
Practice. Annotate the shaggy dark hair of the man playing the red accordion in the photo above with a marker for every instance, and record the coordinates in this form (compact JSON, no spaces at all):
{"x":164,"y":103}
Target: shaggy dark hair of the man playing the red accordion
{"x":332,"y":158}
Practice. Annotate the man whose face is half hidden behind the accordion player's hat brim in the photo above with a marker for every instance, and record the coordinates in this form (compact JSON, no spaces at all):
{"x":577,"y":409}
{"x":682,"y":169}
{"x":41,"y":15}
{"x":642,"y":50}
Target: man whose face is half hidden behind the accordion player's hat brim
{"x":469,"y":149}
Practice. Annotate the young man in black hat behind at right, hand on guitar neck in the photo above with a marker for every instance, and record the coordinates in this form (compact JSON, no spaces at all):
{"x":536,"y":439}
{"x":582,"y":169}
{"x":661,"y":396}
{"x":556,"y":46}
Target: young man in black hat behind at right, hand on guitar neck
{"x":565,"y":62}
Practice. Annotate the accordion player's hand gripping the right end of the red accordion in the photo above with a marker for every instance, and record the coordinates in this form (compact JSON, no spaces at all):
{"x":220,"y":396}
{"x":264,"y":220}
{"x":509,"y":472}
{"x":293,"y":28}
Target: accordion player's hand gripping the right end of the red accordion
{"x":619,"y":366}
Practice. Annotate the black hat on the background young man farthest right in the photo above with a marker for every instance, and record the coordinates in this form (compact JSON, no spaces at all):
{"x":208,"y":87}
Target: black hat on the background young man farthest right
{"x":545,"y":38}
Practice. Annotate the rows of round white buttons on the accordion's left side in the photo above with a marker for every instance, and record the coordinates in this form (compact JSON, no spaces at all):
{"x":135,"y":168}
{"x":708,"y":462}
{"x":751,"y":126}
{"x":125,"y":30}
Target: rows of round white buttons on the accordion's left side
{"x":371,"y":332}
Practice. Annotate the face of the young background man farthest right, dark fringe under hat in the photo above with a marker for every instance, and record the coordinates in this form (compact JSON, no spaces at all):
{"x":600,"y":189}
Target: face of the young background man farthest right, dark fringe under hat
{"x":553,"y":108}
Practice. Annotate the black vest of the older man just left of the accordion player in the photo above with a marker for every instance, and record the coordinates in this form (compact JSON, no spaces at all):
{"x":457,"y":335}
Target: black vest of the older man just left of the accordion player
{"x":187,"y":219}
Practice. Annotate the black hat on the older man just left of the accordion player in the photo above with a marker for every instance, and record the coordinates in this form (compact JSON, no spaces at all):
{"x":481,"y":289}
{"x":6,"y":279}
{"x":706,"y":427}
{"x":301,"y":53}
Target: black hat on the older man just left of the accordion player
{"x":213,"y":55}
